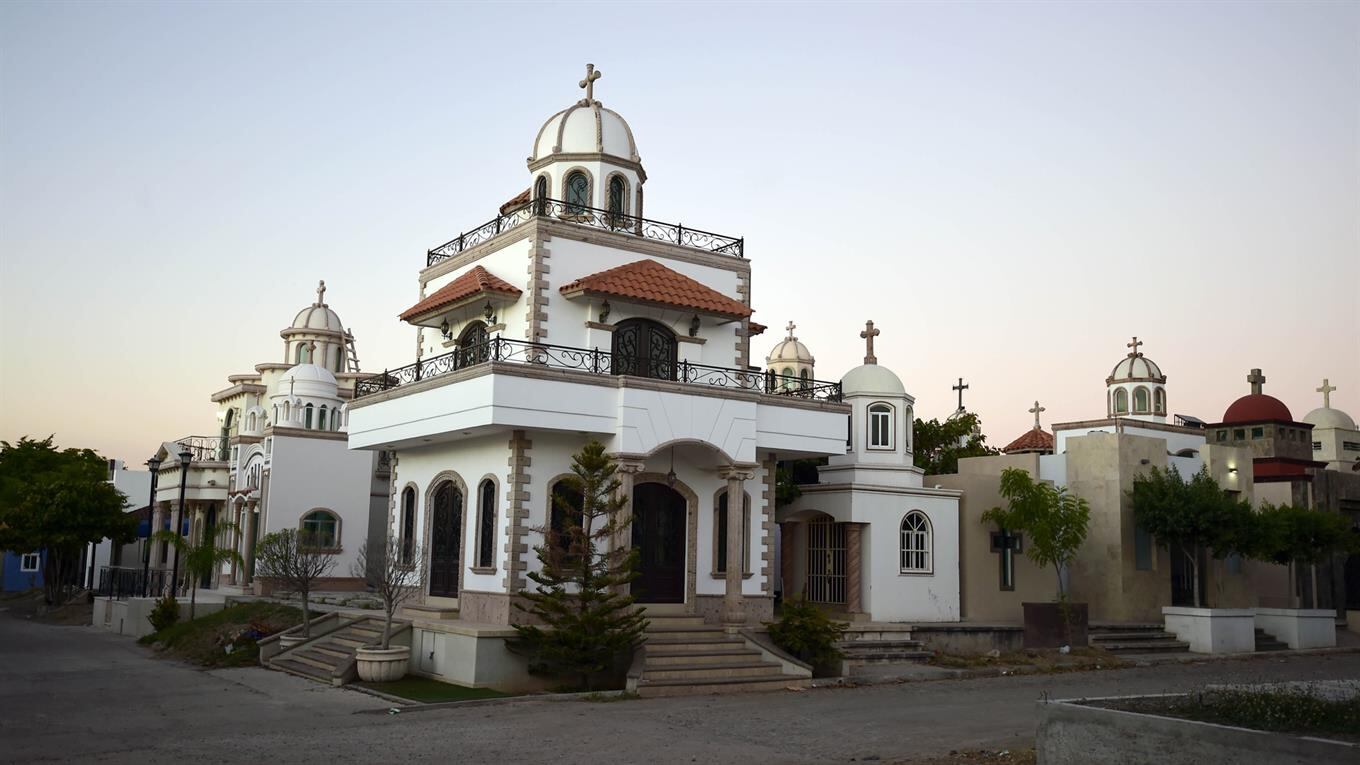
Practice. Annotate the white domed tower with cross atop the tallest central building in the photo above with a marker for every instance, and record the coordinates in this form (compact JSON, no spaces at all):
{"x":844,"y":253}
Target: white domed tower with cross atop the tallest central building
{"x":584,"y":159}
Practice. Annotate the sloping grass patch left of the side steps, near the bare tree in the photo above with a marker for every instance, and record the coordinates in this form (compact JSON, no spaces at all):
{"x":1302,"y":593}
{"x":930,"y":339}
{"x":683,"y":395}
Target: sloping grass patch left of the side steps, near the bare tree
{"x":205,"y":640}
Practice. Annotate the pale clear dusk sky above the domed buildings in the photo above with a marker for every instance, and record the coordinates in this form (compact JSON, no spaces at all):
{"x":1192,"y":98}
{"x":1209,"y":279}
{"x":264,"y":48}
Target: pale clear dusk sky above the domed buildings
{"x":1010,"y":191}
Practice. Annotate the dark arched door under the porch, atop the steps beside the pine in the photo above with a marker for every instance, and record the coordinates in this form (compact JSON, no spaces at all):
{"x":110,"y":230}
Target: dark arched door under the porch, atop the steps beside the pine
{"x":659,"y":533}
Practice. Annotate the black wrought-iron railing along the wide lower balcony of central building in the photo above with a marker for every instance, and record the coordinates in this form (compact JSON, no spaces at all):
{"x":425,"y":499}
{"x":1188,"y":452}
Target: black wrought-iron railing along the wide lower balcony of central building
{"x":596,"y":361}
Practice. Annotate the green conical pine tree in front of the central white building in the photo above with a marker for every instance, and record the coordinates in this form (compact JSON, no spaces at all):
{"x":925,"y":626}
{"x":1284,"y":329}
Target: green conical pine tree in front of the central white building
{"x":590,"y":621}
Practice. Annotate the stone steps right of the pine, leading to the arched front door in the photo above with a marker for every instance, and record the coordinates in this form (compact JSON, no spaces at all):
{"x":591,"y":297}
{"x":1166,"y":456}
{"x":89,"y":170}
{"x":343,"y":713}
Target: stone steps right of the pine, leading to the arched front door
{"x":683,"y":657}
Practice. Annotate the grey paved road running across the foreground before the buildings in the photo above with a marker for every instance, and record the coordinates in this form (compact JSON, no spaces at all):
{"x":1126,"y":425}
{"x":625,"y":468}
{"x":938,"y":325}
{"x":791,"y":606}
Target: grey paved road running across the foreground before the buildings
{"x":70,"y":694}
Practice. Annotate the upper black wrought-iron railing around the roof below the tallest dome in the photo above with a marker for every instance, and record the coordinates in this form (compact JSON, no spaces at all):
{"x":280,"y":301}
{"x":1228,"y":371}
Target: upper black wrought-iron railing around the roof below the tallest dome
{"x":596,"y":218}
